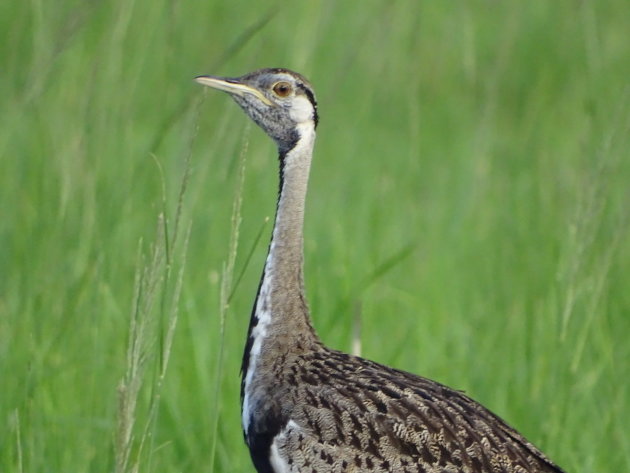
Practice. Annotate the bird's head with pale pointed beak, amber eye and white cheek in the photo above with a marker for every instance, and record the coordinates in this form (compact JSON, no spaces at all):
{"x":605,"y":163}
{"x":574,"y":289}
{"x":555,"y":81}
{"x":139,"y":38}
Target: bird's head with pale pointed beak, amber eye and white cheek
{"x":280,"y":101}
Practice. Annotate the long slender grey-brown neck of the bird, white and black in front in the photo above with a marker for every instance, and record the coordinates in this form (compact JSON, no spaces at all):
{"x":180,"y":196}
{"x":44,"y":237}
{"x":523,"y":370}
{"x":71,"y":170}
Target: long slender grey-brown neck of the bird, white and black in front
{"x":280,"y":323}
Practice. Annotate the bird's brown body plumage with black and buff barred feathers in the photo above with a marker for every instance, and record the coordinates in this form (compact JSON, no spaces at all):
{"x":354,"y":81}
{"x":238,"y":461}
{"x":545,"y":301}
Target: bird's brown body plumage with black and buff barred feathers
{"x":340,"y":413}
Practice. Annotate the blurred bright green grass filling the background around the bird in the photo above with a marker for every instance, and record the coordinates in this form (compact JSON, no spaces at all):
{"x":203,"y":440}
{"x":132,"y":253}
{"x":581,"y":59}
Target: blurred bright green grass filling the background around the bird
{"x":469,"y":200}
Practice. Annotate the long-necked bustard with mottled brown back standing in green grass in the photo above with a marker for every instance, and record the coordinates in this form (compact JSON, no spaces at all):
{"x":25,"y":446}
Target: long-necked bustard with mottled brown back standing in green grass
{"x":308,"y":408}
